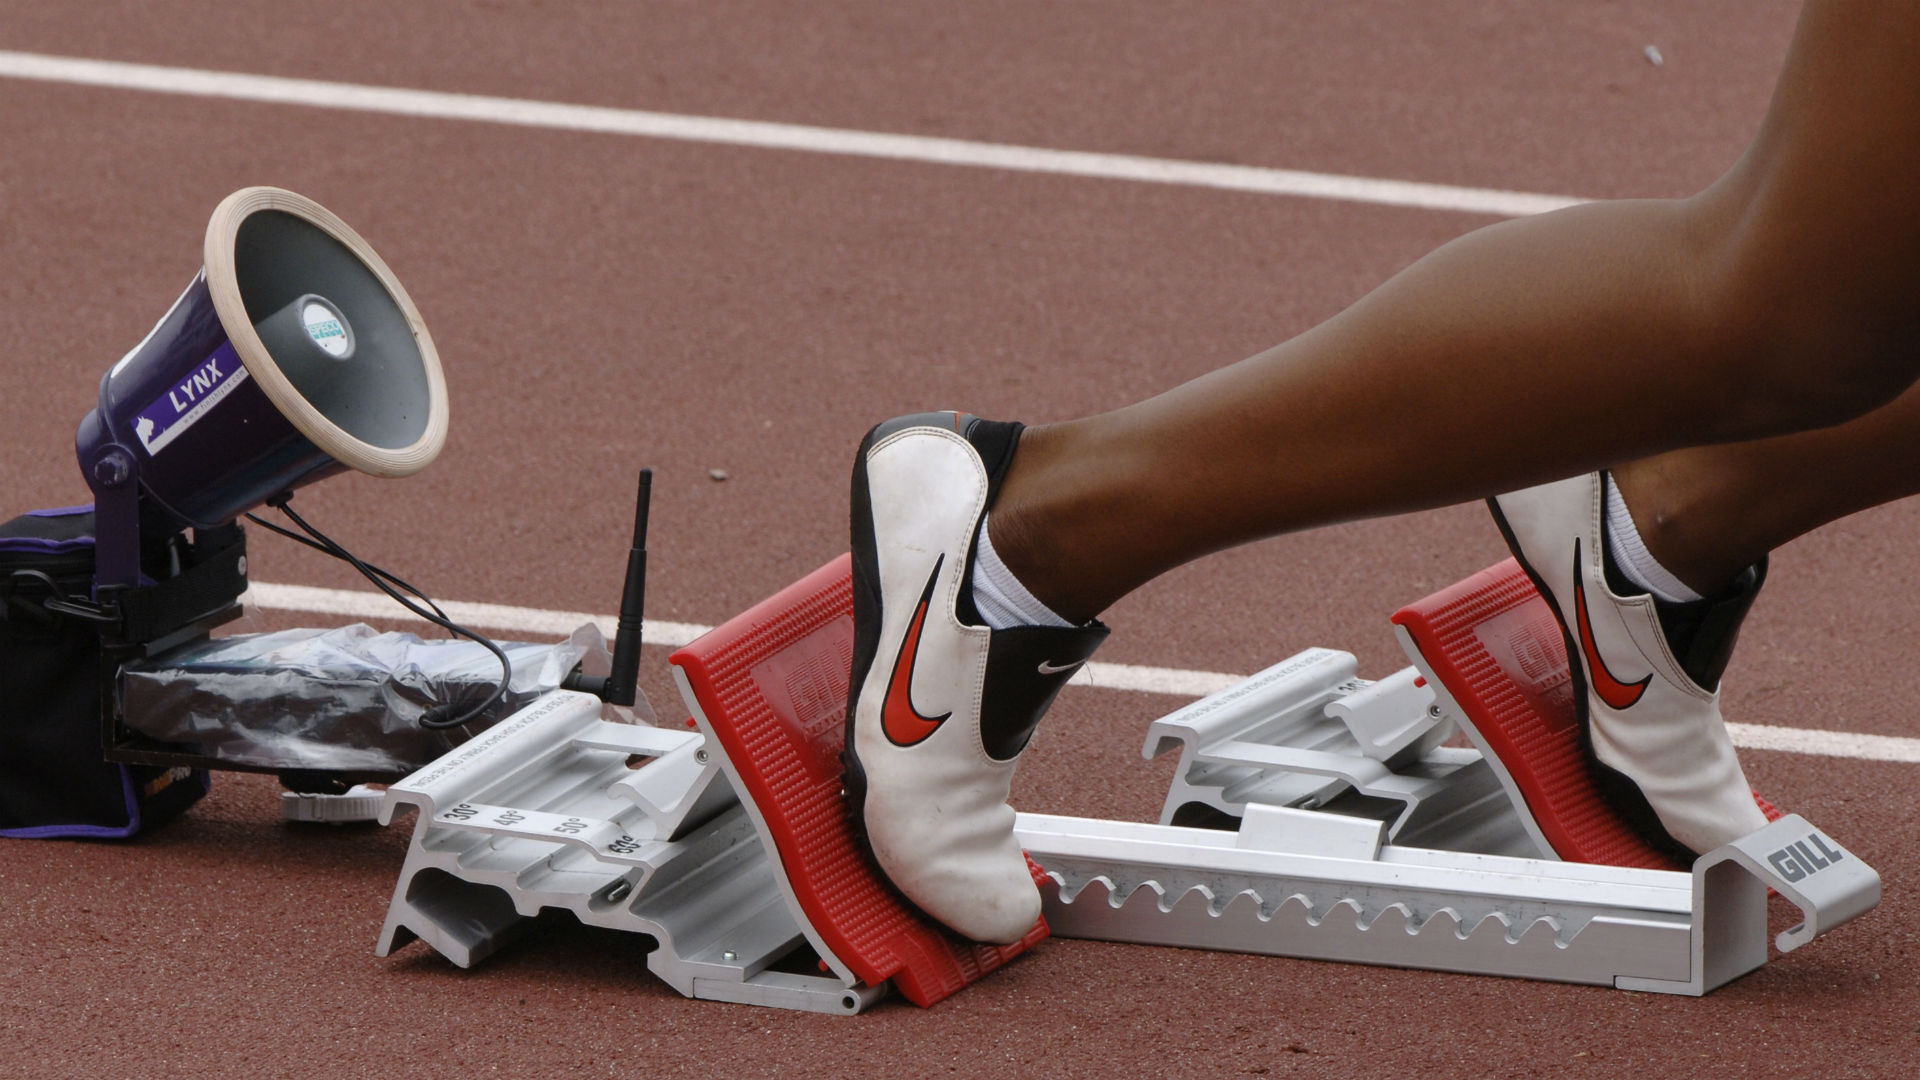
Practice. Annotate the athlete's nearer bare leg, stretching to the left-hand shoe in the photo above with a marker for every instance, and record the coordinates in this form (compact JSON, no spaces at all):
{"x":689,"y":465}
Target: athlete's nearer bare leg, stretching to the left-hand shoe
{"x":1783,"y":299}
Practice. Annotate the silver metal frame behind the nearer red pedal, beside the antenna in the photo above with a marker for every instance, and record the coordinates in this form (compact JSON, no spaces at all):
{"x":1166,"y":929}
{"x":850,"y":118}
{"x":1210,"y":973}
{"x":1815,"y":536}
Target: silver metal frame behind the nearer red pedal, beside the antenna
{"x":546,"y":812}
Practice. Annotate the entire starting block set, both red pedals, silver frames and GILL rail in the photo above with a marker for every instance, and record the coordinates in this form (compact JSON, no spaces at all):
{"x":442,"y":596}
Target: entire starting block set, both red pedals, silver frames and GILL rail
{"x":1314,"y":814}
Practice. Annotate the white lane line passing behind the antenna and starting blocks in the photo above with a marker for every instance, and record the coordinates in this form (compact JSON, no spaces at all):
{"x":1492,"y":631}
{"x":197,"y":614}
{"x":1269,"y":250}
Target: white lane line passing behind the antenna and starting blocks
{"x":1170,"y":681}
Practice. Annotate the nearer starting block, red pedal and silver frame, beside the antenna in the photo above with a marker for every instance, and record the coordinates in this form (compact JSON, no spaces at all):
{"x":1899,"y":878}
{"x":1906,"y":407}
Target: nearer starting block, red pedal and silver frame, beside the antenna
{"x":731,"y":847}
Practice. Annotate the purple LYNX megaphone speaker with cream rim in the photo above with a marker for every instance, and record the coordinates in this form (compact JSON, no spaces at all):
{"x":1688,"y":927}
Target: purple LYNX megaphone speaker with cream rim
{"x":293,"y":355}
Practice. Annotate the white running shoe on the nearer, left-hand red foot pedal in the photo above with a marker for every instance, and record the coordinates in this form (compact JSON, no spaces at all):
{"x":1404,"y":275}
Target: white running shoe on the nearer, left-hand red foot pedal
{"x":942,"y":706}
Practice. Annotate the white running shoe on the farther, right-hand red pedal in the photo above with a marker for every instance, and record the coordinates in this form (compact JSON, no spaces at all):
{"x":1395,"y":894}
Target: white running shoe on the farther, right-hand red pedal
{"x":1650,"y":712}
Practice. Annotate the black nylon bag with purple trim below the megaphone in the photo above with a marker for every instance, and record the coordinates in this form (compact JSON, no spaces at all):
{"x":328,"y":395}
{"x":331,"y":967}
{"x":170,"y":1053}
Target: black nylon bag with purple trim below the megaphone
{"x":53,"y":777}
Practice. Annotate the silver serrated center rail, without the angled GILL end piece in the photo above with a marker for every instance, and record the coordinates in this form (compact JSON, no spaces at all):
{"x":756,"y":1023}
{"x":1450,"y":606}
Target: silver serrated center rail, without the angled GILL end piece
{"x":1356,"y":900}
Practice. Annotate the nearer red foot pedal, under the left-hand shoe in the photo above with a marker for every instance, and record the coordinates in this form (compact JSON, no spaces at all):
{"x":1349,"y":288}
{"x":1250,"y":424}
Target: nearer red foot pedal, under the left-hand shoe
{"x":771,"y":689}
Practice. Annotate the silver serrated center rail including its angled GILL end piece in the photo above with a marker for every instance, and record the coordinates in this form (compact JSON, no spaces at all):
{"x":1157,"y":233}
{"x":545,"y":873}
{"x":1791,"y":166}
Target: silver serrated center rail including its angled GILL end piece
{"x":1282,"y":887}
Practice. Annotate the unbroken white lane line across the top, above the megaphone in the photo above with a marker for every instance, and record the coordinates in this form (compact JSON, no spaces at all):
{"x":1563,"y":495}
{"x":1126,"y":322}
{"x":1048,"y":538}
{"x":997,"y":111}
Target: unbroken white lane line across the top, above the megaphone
{"x":274,"y":89}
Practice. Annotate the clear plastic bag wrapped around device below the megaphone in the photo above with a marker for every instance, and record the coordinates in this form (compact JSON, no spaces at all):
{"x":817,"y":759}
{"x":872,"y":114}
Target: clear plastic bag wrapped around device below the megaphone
{"x":339,"y":700}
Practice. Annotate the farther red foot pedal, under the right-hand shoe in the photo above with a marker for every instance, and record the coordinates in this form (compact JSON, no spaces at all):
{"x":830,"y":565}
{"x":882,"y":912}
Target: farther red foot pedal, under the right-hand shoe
{"x":1497,"y":649}
